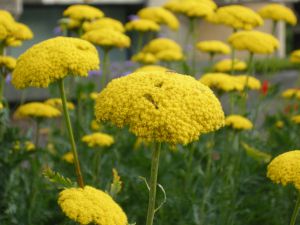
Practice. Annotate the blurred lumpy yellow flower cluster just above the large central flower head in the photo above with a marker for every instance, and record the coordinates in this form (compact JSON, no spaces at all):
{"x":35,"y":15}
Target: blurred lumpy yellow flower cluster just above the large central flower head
{"x":159,"y":49}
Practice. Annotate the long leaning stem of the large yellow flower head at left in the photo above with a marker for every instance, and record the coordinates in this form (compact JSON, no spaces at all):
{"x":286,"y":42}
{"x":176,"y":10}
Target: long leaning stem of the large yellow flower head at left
{"x":70,"y":132}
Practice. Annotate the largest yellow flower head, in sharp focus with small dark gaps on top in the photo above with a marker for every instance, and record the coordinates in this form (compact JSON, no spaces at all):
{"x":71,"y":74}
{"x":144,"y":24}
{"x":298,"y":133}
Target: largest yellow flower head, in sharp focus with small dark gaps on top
{"x":160,"y":106}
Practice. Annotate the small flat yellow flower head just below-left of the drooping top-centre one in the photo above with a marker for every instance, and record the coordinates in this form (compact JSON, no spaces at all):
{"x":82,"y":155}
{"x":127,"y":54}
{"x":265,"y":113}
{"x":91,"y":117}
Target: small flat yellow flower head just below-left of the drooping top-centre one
{"x":142,"y":25}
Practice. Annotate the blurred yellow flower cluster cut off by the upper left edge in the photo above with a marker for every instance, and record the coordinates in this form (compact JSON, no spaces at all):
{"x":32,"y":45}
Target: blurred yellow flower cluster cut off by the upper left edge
{"x":13,"y":33}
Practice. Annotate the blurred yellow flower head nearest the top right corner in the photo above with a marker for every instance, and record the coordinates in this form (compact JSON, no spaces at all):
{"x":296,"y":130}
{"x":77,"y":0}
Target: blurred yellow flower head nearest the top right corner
{"x":278,"y":12}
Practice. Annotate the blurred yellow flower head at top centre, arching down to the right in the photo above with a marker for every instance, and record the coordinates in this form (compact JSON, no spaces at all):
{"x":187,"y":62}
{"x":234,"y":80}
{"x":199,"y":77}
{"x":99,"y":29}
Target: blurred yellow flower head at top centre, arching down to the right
{"x":160,"y":16}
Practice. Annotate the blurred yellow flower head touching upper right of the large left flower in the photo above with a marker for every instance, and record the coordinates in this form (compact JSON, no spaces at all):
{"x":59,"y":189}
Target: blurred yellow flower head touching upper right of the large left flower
{"x":107,"y":38}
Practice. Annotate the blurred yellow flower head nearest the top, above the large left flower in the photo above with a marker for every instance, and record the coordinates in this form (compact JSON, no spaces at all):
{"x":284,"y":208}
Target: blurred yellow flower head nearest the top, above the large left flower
{"x":83,"y":12}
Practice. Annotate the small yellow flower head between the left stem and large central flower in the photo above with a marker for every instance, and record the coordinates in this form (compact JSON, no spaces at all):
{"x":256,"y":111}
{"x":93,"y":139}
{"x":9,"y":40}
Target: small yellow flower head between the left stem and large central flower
{"x":98,"y":140}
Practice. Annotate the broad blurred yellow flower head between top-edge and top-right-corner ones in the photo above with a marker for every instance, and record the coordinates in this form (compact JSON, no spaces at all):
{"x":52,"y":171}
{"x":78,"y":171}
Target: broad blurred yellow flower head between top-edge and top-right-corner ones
{"x":238,"y":17}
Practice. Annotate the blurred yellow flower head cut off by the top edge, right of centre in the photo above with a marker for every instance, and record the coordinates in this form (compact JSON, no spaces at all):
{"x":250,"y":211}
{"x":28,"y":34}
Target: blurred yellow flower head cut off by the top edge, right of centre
{"x":192,"y":8}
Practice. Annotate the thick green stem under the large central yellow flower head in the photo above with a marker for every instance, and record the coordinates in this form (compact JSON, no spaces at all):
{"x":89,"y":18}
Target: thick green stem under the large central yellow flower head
{"x":153,"y":184}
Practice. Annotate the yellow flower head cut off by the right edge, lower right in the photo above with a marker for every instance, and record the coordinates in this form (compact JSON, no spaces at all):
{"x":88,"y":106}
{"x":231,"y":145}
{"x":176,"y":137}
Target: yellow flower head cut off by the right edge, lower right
{"x":285,"y":169}
